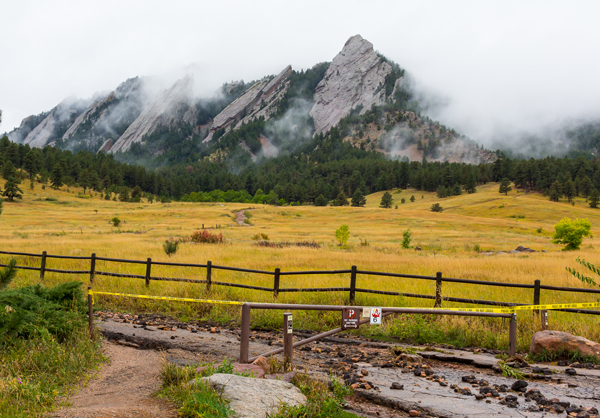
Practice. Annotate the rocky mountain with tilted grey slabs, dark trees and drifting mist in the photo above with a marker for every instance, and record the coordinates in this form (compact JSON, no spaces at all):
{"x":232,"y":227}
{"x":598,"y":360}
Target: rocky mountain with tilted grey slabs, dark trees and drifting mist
{"x":366,"y":96}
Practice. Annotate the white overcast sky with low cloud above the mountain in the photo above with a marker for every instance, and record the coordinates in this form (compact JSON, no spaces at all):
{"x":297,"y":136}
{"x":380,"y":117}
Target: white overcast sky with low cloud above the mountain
{"x":502,"y":66}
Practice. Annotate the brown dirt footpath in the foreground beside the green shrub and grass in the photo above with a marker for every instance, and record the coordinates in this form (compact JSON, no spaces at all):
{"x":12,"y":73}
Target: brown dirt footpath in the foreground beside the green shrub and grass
{"x":123,"y":387}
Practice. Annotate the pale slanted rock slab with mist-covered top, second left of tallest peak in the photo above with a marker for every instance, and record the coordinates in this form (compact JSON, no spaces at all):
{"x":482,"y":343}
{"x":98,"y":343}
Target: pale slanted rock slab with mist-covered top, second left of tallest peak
{"x":163,"y":110}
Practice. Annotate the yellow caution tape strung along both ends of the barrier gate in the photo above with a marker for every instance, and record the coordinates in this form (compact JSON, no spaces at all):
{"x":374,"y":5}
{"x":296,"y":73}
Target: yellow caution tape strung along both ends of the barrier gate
{"x":509,"y":310}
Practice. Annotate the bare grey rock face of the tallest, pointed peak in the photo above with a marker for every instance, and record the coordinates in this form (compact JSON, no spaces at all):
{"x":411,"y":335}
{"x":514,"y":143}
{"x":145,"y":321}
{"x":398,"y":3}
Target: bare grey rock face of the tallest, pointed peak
{"x":355,"y":77}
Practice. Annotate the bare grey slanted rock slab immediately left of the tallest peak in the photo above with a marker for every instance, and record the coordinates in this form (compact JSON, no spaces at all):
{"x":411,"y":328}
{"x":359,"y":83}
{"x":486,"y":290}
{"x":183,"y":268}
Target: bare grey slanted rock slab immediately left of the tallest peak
{"x":259,"y":100}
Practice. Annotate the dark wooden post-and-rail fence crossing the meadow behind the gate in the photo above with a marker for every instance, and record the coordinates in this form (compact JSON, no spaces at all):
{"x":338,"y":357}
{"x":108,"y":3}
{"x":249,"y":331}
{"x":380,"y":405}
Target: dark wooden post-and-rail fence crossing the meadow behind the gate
{"x":352,"y":289}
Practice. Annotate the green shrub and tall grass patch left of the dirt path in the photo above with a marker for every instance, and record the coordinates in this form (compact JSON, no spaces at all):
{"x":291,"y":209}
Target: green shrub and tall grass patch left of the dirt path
{"x":45,"y":347}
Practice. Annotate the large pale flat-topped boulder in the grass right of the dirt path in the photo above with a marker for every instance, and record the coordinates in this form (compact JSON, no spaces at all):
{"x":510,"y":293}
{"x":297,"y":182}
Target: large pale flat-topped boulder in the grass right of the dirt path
{"x":255,"y":398}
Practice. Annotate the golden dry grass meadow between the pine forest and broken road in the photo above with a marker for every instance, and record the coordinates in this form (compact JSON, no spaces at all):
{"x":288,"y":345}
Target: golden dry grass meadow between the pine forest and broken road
{"x":451,"y":243}
